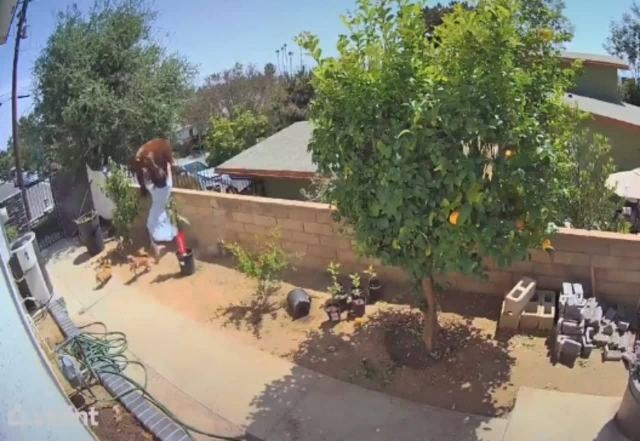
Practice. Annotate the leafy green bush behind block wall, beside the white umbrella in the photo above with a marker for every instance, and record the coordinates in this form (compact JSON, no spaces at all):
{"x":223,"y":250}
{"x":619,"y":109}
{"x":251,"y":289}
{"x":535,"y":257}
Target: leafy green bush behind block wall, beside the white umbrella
{"x":587,"y":201}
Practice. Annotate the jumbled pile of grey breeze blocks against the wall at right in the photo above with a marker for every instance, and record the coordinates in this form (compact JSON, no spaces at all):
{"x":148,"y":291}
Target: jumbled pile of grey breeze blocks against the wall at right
{"x":586,"y":323}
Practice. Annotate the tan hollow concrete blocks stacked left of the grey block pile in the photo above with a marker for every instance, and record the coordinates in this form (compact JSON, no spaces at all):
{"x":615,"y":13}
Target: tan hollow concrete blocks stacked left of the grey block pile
{"x":527,"y":309}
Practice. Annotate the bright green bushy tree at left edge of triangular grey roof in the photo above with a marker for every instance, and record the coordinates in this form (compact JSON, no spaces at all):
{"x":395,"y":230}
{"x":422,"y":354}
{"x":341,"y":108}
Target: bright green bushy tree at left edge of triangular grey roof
{"x":229,"y":136}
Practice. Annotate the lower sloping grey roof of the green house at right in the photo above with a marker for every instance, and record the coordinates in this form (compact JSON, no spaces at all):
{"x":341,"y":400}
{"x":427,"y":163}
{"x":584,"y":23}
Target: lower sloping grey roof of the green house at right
{"x":620,"y":114}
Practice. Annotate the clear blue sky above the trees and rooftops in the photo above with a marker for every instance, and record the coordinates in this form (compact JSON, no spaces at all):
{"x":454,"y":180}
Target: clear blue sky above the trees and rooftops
{"x":214,"y":34}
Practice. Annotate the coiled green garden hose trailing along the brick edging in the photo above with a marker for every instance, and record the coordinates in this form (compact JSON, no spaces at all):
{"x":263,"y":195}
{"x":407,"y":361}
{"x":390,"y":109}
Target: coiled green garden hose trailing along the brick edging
{"x":104,"y":353}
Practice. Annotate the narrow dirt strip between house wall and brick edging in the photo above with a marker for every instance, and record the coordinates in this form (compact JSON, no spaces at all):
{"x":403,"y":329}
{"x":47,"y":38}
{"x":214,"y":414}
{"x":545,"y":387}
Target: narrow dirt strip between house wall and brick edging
{"x":114,"y":422}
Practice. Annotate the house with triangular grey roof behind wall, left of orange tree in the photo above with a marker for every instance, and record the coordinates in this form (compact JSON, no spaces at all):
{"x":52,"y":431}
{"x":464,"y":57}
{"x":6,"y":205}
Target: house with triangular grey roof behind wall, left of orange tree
{"x":281,"y":163}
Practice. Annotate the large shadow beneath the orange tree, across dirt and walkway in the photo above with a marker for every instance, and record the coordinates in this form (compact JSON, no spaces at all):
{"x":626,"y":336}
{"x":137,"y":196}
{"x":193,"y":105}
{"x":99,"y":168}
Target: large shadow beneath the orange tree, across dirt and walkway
{"x":462,"y":375}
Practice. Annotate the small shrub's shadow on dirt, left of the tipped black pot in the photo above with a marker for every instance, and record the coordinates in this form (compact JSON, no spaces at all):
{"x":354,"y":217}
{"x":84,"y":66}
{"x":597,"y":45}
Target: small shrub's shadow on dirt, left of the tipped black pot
{"x":251,"y":314}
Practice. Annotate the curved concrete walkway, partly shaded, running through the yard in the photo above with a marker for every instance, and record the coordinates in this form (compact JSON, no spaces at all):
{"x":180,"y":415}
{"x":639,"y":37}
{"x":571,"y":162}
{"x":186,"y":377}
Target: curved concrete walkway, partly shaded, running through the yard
{"x":209,"y":378}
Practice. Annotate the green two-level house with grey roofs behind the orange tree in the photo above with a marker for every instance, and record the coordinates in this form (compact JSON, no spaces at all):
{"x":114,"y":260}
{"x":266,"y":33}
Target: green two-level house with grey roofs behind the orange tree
{"x":597,"y":92}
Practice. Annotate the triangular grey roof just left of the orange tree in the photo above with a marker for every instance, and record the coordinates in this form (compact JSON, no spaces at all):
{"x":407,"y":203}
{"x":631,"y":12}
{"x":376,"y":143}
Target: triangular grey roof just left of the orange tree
{"x":284,"y":154}
